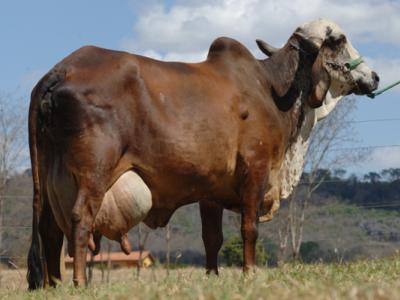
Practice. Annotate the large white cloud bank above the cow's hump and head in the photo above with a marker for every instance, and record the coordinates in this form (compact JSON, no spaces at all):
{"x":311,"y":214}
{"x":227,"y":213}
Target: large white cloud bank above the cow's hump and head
{"x":190,"y":26}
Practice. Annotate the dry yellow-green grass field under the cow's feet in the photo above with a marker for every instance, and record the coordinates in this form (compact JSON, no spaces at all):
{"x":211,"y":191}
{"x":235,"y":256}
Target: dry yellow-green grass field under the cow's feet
{"x":370,"y":279}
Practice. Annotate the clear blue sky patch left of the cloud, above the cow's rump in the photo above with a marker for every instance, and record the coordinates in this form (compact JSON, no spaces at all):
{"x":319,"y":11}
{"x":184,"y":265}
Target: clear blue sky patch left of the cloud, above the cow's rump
{"x":37,"y":34}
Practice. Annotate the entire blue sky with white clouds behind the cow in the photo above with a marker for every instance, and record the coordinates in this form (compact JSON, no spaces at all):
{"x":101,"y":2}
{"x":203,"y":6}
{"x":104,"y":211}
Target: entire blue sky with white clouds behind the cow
{"x":37,"y":34}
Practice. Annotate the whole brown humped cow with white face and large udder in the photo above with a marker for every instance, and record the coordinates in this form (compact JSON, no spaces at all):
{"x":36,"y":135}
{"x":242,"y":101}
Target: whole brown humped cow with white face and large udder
{"x":110,"y":130}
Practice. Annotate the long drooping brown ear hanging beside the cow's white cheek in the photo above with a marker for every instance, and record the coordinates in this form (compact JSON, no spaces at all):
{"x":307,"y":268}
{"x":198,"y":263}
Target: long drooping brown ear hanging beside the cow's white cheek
{"x":321,"y":82}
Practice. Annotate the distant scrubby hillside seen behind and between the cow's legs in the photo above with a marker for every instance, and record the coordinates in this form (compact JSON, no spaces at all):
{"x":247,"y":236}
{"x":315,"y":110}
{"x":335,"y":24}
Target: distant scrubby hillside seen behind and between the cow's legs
{"x":347,"y":218}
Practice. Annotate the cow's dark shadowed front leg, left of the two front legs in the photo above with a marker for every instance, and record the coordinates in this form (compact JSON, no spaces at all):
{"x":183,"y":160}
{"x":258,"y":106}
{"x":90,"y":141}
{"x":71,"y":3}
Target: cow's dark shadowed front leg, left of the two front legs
{"x":211,"y":222}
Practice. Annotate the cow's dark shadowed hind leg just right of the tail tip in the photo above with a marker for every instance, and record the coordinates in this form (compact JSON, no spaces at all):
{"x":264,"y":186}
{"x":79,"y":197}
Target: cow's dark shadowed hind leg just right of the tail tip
{"x":52,"y":239}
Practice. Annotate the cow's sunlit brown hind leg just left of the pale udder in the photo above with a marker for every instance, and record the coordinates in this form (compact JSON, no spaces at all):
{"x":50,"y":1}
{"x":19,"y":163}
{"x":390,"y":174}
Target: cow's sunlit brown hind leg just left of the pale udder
{"x":92,"y":158}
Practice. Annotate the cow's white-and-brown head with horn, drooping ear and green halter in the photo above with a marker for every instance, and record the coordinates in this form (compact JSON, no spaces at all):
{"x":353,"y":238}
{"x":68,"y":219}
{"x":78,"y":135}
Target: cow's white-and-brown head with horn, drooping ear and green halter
{"x":337,"y":68}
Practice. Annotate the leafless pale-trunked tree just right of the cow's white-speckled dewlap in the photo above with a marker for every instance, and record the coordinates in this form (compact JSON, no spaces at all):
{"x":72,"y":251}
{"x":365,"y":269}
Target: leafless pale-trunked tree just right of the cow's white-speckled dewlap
{"x":325,"y":152}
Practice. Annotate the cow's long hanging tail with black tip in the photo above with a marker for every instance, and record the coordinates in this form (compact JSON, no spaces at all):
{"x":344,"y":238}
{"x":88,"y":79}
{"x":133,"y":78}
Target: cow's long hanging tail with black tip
{"x":40,"y":98}
